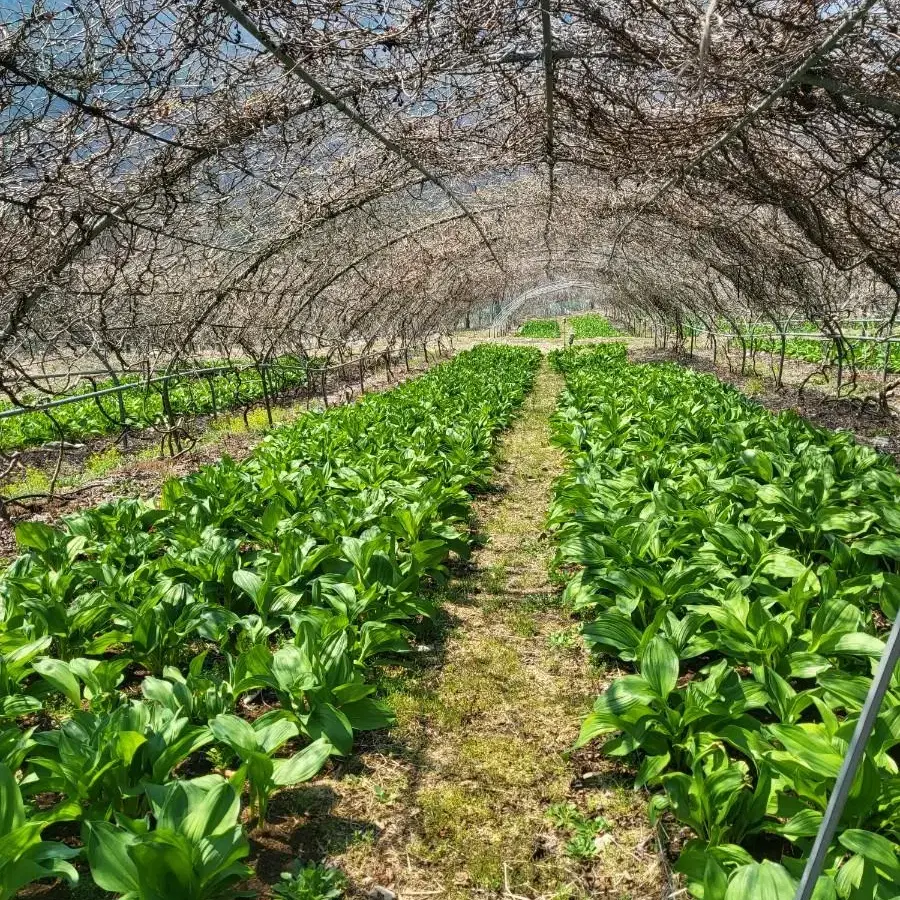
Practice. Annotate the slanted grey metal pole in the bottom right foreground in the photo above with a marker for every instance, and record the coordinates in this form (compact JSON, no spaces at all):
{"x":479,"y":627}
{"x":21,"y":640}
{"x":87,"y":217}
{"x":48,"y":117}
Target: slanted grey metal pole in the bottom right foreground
{"x":880,"y":684}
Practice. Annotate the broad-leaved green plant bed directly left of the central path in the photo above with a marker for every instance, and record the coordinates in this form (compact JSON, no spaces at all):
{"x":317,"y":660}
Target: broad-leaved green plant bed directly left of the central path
{"x":165,"y":668}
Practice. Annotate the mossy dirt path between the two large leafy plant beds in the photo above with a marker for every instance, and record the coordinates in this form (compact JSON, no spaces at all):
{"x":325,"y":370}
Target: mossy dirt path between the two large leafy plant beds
{"x":471,"y":794}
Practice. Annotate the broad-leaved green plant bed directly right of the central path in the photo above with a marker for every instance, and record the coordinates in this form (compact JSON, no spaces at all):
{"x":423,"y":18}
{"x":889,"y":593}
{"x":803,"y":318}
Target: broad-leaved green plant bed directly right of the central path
{"x":744,"y":567}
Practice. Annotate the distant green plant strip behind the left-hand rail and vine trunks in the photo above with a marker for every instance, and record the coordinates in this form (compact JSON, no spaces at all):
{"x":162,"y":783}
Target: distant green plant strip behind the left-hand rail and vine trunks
{"x":144,"y":407}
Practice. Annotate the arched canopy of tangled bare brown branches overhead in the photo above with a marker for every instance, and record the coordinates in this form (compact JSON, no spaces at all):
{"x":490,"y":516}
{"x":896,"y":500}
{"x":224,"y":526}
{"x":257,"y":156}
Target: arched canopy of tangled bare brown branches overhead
{"x":348,"y":172}
